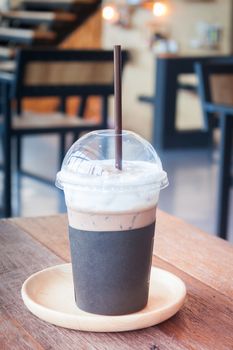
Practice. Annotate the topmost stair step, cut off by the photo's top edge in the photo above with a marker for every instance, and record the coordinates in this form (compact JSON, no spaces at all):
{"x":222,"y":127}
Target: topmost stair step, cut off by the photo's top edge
{"x":55,"y":4}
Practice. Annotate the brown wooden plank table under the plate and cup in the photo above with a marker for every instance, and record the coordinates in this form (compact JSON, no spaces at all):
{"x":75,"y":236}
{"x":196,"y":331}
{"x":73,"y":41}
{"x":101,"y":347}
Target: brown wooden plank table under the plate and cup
{"x":205,"y":263}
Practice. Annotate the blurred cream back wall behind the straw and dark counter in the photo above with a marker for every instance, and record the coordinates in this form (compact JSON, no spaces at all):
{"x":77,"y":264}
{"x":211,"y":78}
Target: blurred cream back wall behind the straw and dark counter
{"x":139,"y":75}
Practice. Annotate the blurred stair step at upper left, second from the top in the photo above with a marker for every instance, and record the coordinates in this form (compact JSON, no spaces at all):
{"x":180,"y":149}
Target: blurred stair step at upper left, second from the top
{"x":35,"y":17}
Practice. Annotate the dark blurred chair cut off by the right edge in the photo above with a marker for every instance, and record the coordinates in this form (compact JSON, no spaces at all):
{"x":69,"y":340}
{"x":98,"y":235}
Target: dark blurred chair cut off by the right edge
{"x":218,"y":110}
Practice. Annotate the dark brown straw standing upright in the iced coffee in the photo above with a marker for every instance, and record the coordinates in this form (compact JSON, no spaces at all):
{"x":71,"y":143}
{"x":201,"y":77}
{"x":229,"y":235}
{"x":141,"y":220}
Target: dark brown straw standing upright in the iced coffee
{"x":118,"y":107}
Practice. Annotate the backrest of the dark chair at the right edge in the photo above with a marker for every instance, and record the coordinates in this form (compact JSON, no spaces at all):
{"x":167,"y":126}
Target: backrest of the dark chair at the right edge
{"x":215,"y":84}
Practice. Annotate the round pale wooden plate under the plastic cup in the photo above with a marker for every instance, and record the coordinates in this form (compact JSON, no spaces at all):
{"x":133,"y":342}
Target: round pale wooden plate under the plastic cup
{"x":48,"y":294}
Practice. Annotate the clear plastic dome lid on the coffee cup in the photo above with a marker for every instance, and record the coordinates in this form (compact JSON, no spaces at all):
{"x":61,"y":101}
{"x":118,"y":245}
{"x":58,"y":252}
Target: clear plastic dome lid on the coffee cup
{"x":91,"y":162}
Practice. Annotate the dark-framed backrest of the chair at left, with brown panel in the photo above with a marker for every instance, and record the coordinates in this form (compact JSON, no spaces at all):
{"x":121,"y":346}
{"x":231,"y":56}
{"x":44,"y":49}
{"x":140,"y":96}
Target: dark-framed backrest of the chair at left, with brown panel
{"x":64,"y":73}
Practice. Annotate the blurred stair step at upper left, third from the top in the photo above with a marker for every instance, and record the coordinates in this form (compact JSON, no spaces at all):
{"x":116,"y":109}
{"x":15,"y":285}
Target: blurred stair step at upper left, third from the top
{"x":26,"y":36}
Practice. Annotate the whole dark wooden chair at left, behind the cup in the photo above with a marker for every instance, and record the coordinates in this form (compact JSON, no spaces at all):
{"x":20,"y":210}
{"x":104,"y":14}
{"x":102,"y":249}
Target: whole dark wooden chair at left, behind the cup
{"x":56,"y":73}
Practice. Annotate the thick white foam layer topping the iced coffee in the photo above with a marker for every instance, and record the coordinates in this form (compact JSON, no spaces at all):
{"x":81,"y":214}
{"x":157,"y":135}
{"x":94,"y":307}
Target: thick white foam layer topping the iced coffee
{"x":134,"y":188}
